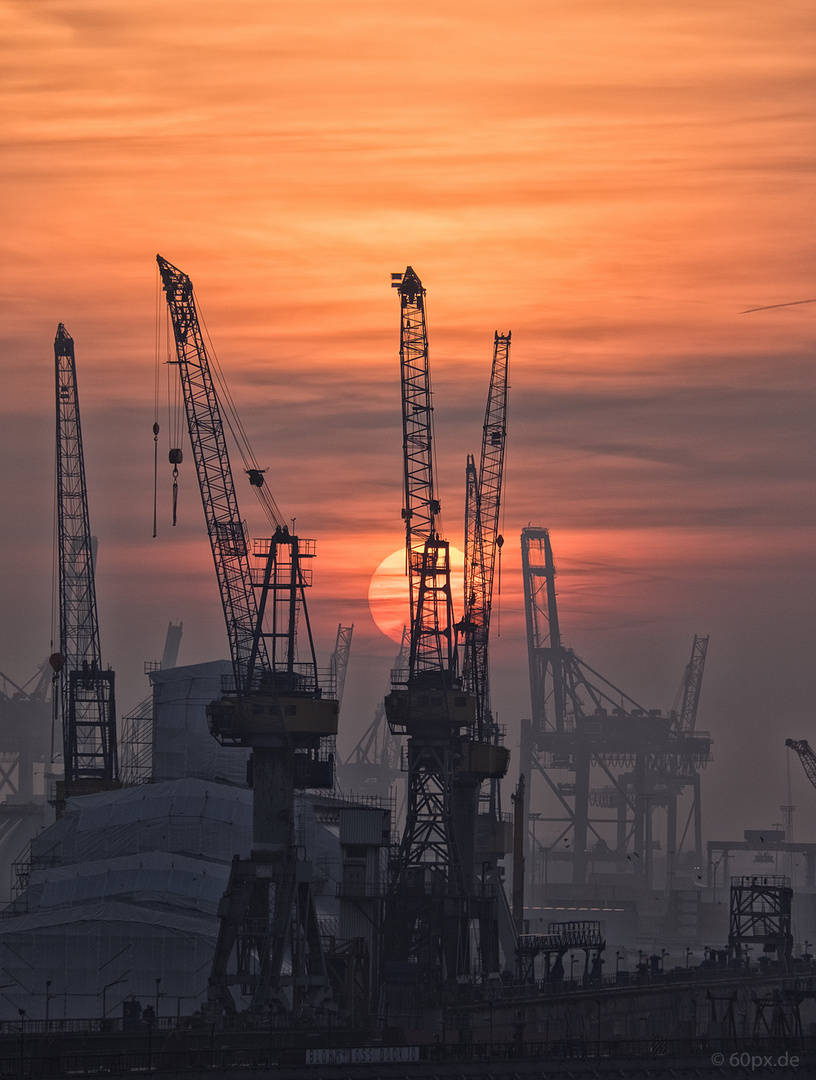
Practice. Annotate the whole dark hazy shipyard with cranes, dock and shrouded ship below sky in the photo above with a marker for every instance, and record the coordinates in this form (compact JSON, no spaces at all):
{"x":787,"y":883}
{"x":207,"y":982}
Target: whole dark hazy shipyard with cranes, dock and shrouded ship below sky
{"x":216,"y":873}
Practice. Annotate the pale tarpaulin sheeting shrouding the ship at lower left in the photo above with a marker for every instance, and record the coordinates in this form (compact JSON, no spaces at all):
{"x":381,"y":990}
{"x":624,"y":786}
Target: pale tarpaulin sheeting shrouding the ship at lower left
{"x":124,"y":890}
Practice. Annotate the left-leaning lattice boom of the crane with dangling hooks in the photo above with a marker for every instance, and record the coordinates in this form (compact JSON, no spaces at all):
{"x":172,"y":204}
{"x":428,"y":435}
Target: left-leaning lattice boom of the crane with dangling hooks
{"x":225,"y":526}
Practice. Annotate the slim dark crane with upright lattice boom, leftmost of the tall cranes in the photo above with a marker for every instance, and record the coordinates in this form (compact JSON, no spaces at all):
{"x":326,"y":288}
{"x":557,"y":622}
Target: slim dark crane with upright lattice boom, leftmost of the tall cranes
{"x":87,"y":690}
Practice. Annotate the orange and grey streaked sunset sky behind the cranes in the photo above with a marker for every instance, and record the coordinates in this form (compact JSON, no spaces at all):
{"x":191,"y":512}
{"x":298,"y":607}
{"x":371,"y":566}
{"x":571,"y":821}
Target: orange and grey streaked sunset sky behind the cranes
{"x":615,"y":184}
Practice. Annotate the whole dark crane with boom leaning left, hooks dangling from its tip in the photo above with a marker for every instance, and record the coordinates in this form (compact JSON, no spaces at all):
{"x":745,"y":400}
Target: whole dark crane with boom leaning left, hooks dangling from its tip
{"x":278,"y":705}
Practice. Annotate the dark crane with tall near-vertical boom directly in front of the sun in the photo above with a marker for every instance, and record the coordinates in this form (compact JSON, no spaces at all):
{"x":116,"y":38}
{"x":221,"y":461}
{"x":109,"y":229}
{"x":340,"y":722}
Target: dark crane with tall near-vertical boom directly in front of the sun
{"x":432,"y":896}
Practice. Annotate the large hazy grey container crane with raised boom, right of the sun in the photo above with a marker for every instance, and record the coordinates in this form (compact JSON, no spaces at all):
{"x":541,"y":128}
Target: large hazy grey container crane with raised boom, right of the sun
{"x":581,"y":720}
